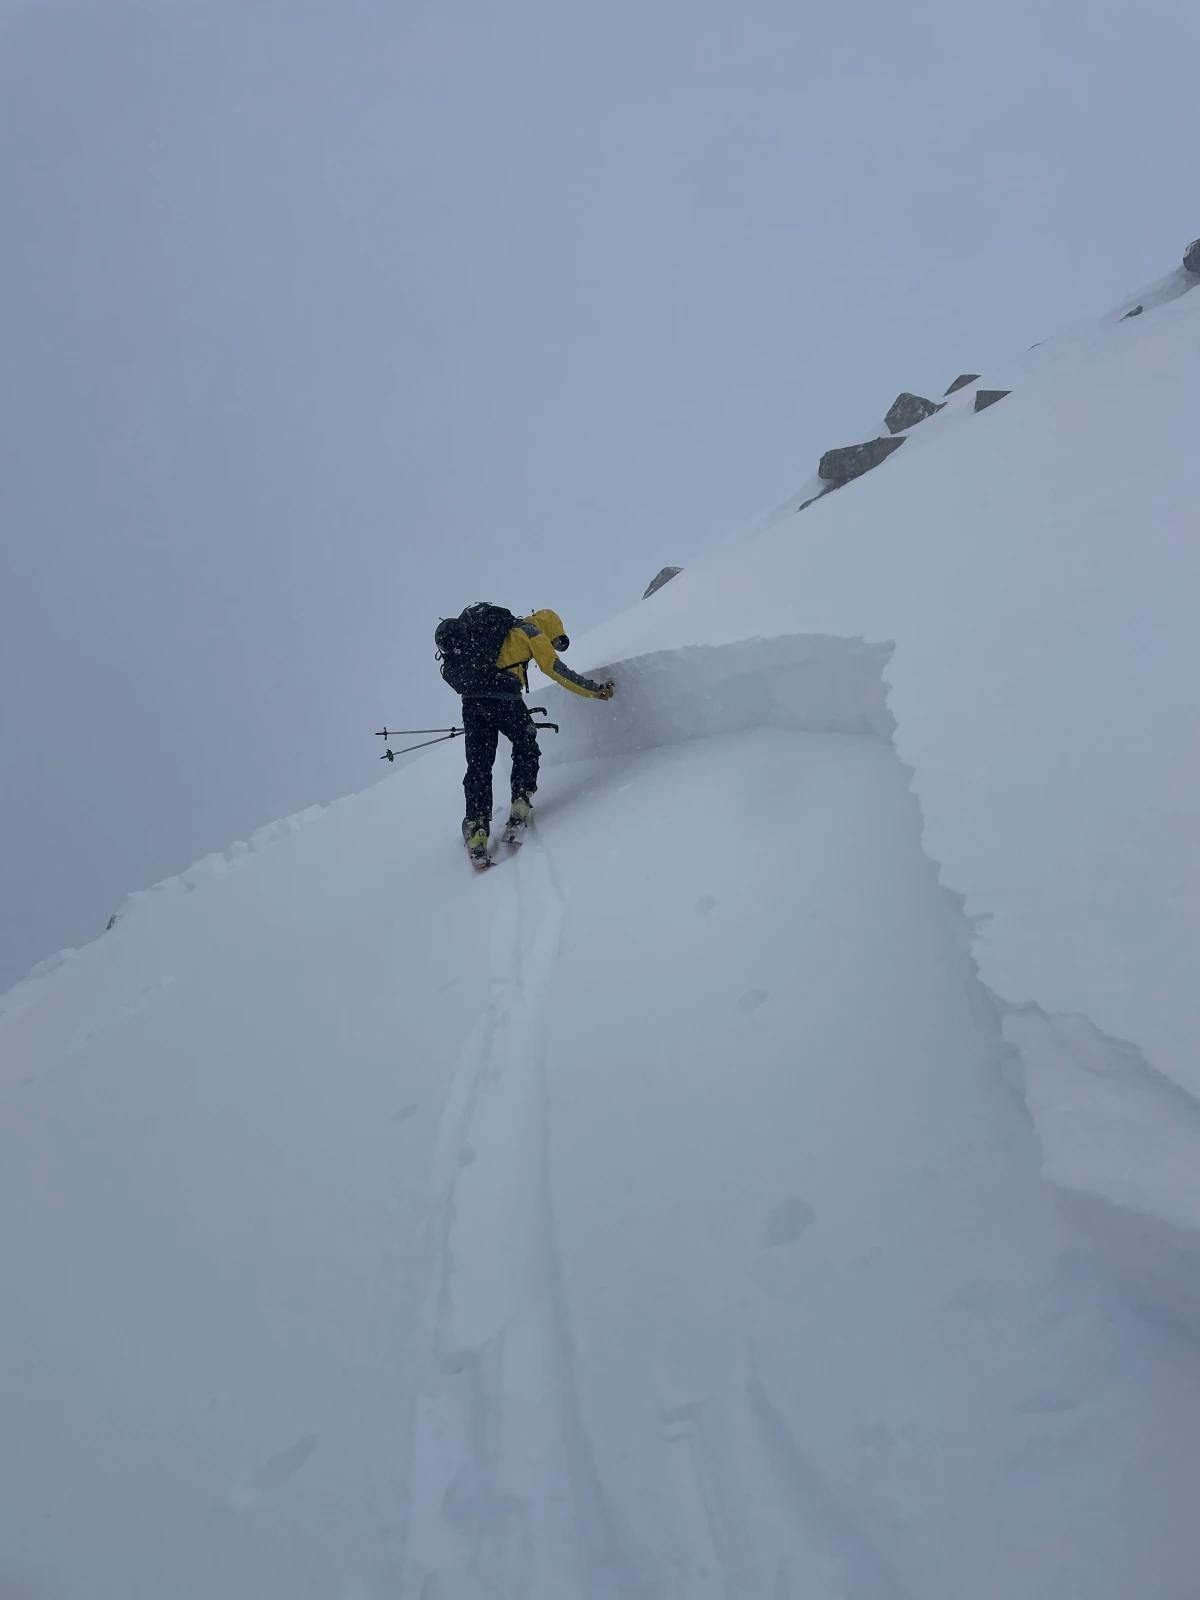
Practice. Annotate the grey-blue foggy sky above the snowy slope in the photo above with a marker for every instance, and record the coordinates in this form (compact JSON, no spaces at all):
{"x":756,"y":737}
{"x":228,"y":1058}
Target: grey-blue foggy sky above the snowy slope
{"x":324,"y":319}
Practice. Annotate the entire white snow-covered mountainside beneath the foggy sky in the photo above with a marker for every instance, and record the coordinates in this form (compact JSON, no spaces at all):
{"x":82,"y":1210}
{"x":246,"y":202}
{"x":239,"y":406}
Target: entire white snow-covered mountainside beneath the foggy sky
{"x":780,"y":1182}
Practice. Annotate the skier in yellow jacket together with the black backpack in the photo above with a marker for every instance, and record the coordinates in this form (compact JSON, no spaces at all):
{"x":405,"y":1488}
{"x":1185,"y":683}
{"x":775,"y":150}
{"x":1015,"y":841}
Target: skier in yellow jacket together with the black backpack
{"x":486,"y":658}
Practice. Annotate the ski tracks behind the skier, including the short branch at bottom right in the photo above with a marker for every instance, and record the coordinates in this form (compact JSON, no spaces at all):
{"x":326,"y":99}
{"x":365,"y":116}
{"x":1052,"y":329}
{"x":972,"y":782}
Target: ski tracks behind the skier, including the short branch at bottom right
{"x":506,"y":1498}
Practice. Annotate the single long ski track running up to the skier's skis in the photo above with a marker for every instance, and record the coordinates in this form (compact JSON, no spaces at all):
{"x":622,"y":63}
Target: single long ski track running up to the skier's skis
{"x":505,"y":1495}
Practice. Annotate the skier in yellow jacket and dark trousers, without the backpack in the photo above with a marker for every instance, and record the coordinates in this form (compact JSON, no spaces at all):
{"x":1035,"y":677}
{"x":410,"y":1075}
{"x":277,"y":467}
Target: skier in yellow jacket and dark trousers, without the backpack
{"x":502,"y":711}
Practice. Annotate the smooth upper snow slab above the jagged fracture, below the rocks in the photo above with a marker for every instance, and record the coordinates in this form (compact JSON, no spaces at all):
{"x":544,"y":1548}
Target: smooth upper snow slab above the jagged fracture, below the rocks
{"x":1033,"y":577}
